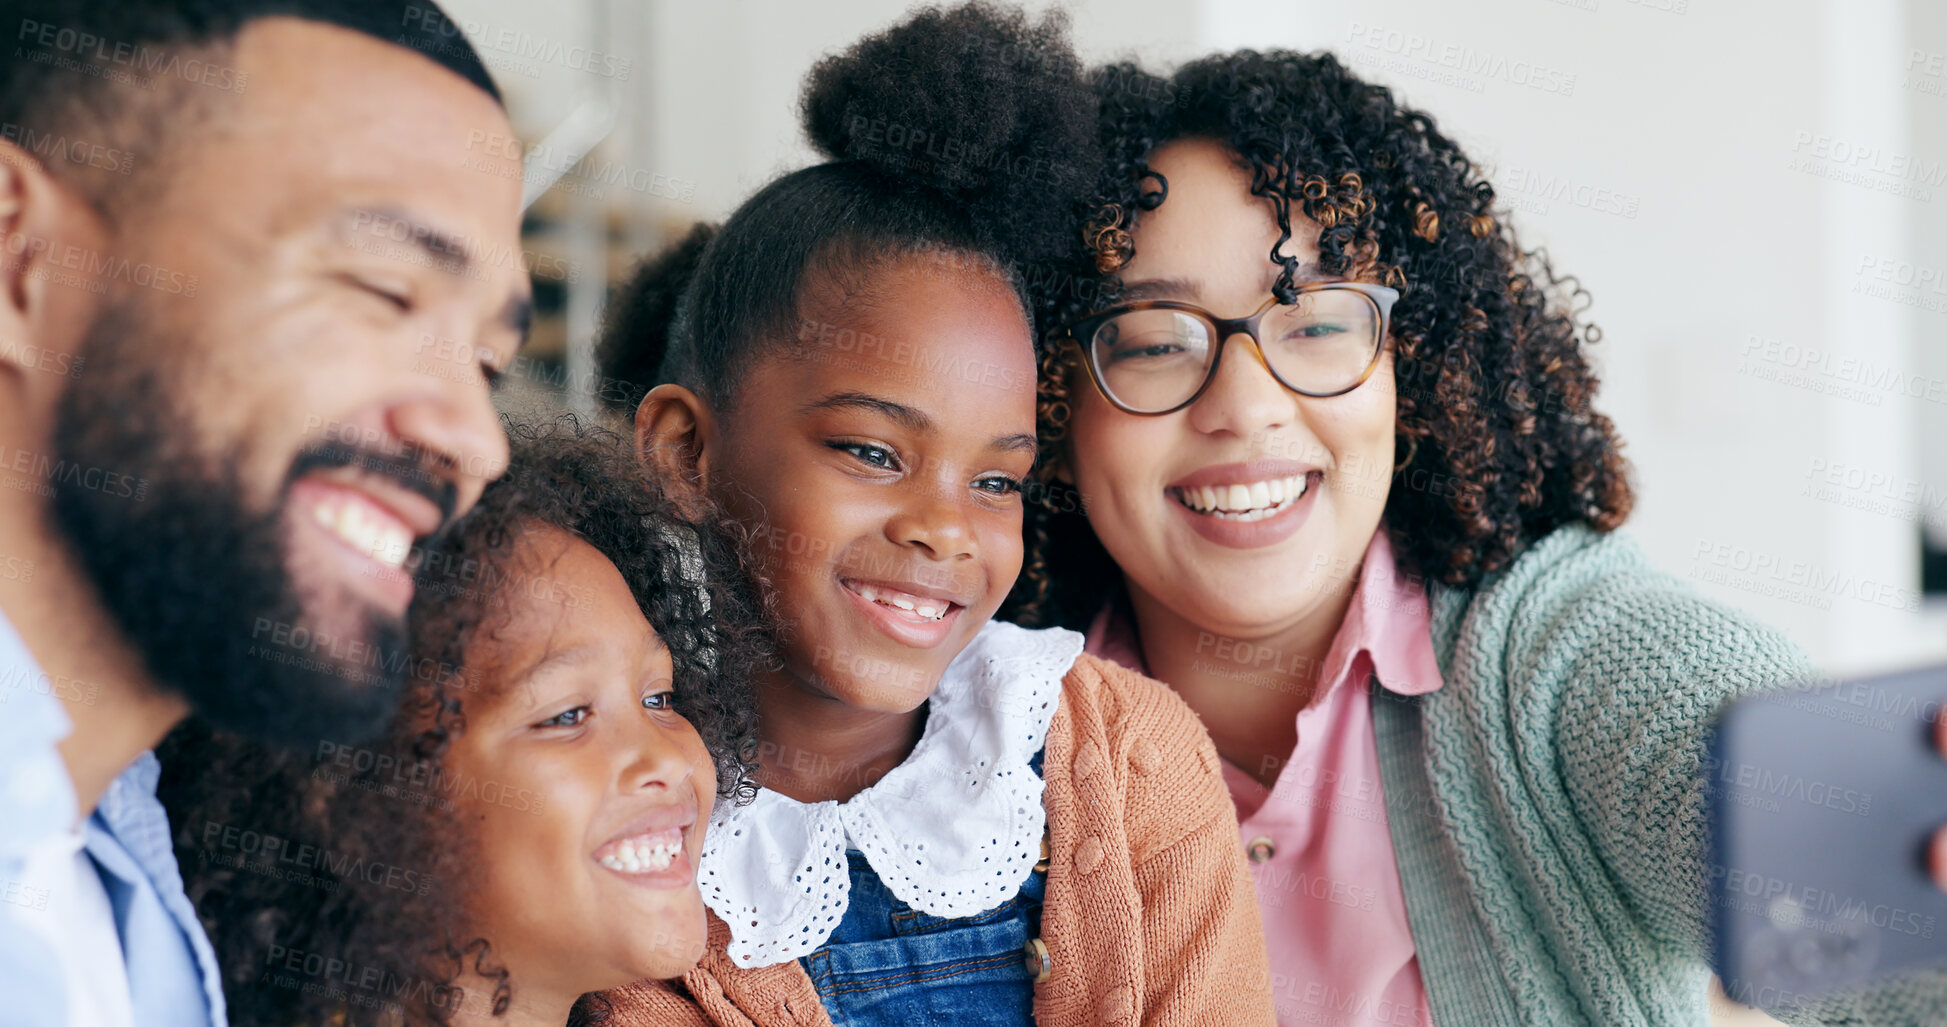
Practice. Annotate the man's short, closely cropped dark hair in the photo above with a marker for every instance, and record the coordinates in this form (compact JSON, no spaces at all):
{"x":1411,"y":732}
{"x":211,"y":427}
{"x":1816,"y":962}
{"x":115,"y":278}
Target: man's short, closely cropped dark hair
{"x":102,"y":83}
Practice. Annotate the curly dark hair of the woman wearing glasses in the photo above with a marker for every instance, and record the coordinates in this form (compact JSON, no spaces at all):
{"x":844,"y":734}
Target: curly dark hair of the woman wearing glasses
{"x":1498,"y":441}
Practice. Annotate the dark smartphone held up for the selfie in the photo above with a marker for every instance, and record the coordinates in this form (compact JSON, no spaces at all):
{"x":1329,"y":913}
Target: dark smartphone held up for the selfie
{"x":1821,"y":810}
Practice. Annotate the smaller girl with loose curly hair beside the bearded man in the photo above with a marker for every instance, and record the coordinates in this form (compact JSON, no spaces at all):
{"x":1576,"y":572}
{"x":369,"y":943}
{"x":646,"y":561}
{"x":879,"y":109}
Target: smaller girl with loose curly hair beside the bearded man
{"x":529,"y":827}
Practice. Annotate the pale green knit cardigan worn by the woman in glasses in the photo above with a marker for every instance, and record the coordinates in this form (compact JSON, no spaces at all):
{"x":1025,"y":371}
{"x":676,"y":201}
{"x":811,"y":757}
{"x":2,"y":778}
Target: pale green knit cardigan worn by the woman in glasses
{"x":1547,"y":808}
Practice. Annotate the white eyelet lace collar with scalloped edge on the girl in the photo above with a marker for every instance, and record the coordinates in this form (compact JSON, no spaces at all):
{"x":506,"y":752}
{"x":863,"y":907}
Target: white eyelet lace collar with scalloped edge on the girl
{"x":953,"y":831}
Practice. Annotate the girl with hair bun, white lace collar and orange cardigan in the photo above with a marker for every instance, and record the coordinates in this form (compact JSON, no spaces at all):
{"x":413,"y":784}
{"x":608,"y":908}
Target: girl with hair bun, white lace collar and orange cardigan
{"x":959,"y":821}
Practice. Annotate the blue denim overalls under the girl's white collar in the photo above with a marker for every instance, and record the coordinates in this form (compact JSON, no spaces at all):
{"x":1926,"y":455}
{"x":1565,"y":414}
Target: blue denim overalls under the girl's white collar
{"x":891,"y":966}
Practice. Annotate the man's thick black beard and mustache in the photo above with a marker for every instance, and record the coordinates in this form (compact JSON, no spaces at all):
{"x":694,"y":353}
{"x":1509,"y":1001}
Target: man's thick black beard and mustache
{"x":196,"y":580}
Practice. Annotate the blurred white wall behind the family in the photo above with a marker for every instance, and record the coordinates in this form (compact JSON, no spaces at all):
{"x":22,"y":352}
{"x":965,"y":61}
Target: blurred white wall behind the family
{"x":1753,"y":194}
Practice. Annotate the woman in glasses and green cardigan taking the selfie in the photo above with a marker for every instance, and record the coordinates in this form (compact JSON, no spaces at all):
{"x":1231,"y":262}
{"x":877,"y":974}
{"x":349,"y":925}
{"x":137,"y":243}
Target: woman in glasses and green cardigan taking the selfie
{"x":1356,"y":508}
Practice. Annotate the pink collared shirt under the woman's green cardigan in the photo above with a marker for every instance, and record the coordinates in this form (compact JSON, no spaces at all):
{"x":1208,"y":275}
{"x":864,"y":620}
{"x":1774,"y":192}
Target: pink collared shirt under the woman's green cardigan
{"x":1329,"y":888}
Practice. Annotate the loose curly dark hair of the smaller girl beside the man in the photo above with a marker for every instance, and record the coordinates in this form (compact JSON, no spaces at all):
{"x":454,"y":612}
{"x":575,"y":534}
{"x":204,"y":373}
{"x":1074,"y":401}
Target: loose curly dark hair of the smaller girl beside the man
{"x":279,"y":849}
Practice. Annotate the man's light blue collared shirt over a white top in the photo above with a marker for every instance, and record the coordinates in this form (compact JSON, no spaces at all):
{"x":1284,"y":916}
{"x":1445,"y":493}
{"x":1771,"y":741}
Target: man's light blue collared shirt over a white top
{"x":172,"y":970}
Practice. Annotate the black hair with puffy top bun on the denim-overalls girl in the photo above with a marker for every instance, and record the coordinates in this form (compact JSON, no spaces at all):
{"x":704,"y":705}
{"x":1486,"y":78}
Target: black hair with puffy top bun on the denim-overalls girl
{"x":961,"y":133}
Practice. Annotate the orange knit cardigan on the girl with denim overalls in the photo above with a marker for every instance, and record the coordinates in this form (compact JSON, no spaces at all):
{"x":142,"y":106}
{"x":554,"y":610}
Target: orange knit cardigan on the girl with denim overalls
{"x":1150,"y":913}
